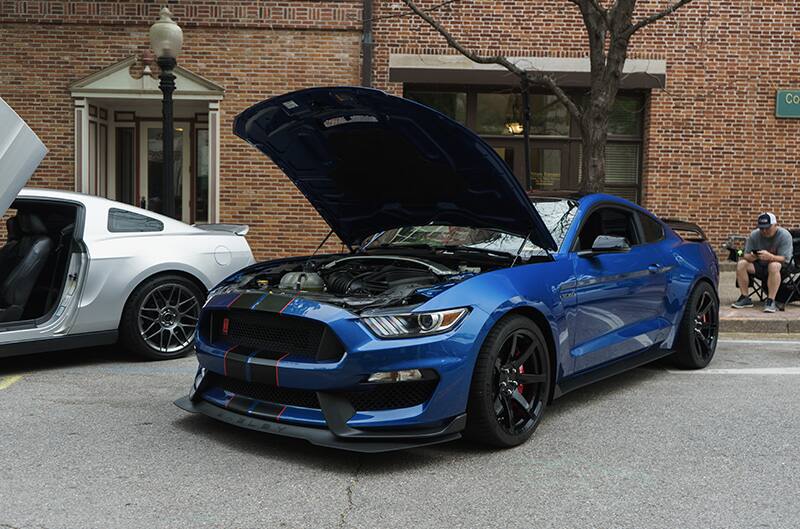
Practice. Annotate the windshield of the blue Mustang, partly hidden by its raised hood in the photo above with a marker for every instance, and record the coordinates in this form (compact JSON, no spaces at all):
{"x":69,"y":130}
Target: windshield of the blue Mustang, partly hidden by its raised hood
{"x":557,"y":215}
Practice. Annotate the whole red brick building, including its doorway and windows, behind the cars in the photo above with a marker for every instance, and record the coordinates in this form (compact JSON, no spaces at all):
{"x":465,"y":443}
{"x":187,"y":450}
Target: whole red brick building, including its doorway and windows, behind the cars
{"x":694,"y":134}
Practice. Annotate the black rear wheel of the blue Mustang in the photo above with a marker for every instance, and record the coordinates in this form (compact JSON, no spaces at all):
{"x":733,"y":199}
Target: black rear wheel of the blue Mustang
{"x":699,"y":329}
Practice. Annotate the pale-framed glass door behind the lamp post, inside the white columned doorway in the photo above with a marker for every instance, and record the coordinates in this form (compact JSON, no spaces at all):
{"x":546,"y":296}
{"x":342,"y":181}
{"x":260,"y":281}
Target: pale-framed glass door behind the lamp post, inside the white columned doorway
{"x":151,"y":183}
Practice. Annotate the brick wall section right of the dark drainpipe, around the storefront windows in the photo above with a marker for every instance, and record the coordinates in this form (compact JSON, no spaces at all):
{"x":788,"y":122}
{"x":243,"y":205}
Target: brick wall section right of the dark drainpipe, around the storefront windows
{"x":714,"y":152}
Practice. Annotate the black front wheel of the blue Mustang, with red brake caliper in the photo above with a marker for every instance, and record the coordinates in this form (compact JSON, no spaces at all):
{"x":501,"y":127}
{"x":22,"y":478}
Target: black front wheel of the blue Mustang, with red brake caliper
{"x":510,"y":384}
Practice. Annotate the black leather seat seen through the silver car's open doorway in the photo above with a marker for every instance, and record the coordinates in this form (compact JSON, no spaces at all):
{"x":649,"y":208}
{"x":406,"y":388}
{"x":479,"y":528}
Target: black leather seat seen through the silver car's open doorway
{"x":25,"y":263}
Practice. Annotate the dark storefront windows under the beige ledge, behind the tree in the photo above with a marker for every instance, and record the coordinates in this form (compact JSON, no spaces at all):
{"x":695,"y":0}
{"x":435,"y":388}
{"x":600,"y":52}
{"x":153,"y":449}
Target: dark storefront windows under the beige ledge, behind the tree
{"x":496,"y":114}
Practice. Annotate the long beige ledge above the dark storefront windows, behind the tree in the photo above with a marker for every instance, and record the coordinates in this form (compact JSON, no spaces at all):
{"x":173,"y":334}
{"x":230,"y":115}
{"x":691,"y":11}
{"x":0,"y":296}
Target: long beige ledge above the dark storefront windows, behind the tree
{"x":569,"y":72}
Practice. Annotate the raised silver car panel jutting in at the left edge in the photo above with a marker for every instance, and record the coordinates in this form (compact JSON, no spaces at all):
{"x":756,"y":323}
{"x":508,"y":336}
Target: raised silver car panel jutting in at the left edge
{"x":21,"y":151}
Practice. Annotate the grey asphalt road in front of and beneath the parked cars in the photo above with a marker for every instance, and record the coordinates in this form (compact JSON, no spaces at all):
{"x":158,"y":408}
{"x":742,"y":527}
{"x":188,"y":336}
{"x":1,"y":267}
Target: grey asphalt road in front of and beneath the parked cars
{"x":91,"y":440}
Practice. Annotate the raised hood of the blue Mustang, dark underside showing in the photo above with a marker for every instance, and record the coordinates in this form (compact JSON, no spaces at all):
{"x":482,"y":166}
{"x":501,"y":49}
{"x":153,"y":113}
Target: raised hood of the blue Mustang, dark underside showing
{"x":369,"y":161}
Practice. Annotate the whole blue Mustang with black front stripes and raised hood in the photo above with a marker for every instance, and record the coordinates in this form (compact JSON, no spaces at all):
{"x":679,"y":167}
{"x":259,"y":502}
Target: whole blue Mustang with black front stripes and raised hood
{"x":461,"y":306}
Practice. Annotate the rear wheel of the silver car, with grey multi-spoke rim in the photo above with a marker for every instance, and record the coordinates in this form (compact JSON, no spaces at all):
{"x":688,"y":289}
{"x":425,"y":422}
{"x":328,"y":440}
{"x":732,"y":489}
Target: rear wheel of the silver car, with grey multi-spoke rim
{"x":159,"y":319}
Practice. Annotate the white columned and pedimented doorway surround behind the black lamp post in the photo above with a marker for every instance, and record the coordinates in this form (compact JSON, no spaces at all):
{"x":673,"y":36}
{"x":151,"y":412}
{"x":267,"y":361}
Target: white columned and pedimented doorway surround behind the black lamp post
{"x":118,"y":139}
